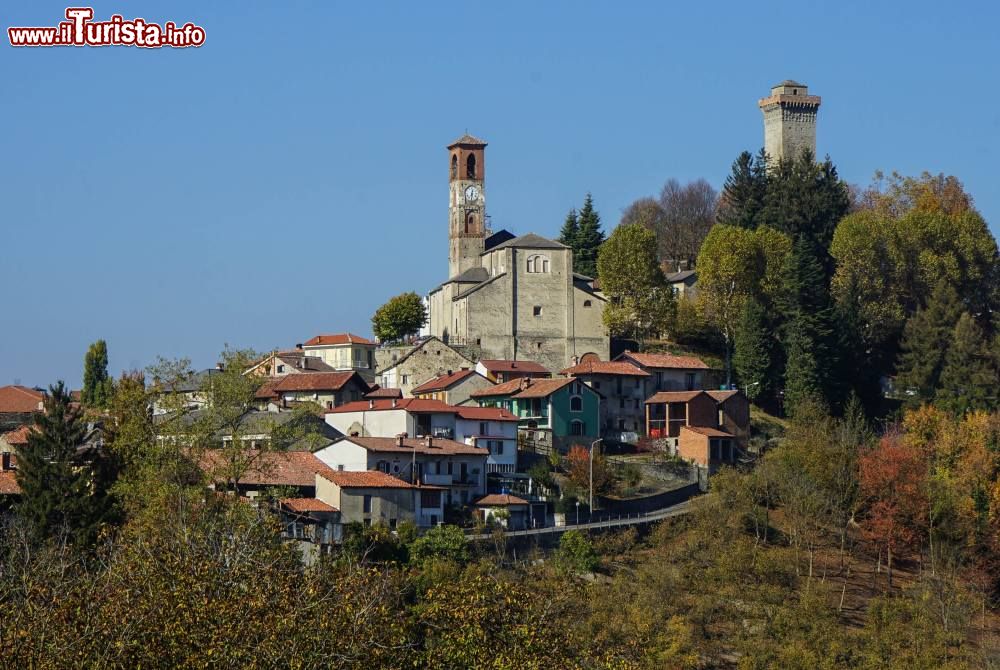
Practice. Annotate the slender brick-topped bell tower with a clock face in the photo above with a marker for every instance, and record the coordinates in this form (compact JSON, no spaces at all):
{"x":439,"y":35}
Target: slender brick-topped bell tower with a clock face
{"x":466,"y":204}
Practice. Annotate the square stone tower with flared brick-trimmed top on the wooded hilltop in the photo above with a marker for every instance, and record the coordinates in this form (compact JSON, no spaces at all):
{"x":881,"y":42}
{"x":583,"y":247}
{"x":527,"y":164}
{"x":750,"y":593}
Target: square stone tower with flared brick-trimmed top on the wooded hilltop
{"x":789,"y":120}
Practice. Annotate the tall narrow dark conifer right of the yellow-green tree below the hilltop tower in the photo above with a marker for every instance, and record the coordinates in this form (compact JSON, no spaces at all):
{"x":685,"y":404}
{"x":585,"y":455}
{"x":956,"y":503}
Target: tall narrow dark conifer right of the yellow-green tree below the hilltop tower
{"x":810,"y":348}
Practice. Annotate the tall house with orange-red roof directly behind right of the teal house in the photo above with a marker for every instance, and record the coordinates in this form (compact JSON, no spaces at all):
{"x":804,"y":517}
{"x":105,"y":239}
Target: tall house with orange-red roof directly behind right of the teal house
{"x":624,"y":389}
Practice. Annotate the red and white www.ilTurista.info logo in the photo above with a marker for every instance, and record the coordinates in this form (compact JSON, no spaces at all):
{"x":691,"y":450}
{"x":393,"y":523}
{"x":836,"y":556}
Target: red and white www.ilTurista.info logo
{"x":79,"y":31}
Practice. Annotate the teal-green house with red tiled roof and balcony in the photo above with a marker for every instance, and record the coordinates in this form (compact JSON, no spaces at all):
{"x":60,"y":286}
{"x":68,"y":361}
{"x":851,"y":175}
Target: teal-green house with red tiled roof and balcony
{"x":553,"y":413}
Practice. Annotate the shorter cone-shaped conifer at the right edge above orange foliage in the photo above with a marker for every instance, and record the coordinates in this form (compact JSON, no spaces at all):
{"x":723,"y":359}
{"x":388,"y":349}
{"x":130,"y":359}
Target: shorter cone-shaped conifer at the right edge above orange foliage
{"x":968,"y":380}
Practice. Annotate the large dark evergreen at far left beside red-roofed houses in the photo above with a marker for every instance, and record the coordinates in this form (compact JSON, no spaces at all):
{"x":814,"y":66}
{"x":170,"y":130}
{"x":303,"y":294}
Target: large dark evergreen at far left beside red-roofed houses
{"x":63,"y":490}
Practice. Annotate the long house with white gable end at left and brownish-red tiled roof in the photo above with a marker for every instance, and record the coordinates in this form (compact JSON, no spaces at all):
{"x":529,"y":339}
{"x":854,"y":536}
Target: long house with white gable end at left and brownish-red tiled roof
{"x":459,"y":468}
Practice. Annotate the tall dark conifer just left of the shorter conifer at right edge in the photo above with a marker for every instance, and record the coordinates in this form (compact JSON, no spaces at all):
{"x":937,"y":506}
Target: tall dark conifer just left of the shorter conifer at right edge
{"x":926,"y":338}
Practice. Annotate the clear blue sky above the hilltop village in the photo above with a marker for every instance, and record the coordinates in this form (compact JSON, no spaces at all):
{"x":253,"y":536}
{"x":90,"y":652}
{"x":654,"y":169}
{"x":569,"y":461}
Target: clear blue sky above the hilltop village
{"x":290,"y":175}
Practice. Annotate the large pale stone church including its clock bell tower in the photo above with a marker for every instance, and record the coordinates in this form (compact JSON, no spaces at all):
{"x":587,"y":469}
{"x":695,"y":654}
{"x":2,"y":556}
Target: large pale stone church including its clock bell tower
{"x":511,"y":298}
